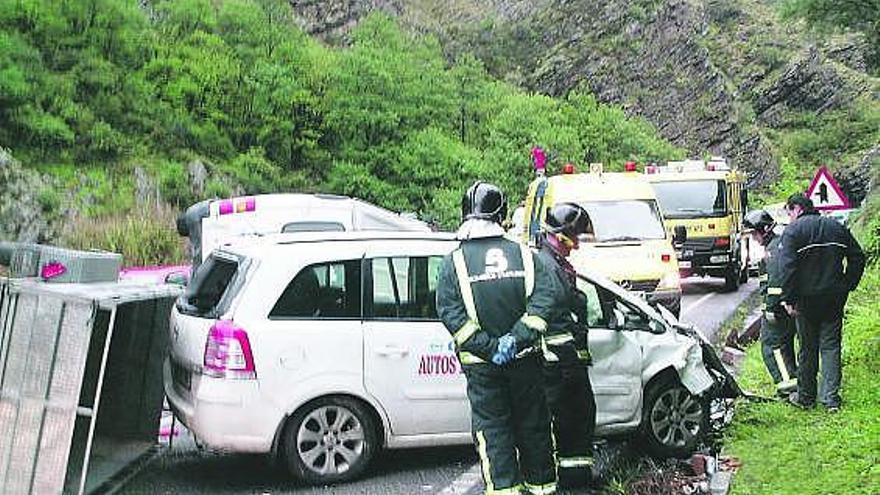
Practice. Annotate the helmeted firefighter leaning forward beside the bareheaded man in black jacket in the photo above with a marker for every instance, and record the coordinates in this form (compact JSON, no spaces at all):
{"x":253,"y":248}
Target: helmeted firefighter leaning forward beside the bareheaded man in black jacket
{"x":777,"y":327}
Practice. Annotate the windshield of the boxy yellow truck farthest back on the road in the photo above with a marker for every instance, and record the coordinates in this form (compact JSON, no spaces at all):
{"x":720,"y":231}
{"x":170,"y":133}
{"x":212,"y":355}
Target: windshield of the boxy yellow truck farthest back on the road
{"x":690,"y":199}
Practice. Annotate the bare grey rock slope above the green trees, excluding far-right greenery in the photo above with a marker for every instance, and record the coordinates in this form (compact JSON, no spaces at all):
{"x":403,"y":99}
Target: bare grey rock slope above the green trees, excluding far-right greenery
{"x":718,"y":76}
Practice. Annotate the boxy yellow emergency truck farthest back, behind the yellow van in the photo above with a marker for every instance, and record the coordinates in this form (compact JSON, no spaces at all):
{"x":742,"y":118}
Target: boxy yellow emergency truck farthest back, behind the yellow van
{"x":709,"y":199}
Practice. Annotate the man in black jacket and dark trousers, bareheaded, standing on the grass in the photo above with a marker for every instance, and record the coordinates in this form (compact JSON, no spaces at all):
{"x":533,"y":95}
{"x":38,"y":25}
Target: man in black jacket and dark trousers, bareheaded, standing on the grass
{"x":815,"y":285}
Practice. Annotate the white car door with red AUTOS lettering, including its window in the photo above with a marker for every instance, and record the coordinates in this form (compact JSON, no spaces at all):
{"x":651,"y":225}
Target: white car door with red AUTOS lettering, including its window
{"x":410,"y":364}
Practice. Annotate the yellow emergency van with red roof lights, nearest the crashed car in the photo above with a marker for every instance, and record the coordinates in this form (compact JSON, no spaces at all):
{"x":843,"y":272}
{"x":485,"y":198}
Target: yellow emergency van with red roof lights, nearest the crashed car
{"x":630,"y":245}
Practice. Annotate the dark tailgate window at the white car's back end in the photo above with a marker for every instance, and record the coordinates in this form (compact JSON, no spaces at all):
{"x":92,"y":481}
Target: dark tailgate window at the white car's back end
{"x":204,"y":296}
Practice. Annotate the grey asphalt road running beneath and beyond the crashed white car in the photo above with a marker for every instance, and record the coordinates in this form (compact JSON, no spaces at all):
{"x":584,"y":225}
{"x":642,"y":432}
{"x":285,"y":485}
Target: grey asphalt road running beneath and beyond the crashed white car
{"x":184,"y":469}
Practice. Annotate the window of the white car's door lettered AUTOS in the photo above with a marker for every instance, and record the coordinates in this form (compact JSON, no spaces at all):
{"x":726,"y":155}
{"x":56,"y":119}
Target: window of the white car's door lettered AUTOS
{"x":403,"y":288}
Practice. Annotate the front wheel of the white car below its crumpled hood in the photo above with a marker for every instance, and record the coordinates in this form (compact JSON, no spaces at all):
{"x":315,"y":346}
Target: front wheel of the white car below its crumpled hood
{"x":673,"y":420}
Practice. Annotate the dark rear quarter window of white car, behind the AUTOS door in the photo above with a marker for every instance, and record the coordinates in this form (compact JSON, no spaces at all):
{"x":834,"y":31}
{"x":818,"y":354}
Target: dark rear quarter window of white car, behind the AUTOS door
{"x":322,"y":291}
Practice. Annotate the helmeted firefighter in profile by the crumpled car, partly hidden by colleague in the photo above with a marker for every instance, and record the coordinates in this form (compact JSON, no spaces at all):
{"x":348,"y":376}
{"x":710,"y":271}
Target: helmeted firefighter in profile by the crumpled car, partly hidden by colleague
{"x":566,"y":381}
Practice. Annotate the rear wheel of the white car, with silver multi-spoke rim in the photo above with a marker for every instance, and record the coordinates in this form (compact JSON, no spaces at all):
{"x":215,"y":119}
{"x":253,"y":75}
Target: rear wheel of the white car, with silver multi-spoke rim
{"x":330,"y":440}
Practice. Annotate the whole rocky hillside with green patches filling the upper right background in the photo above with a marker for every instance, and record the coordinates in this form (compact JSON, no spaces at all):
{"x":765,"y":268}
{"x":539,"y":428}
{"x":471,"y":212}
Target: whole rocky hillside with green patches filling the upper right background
{"x":747,"y":79}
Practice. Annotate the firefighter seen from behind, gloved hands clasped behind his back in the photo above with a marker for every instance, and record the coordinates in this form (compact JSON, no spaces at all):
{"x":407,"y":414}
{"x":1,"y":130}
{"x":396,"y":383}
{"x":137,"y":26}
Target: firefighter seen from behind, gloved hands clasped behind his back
{"x":495,"y":296}
